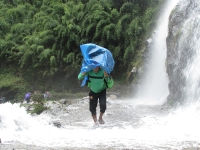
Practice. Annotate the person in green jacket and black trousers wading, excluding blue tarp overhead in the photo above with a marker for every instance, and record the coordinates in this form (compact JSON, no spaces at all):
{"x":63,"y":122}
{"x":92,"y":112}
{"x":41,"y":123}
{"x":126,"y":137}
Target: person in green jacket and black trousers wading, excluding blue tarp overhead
{"x":98,"y":81}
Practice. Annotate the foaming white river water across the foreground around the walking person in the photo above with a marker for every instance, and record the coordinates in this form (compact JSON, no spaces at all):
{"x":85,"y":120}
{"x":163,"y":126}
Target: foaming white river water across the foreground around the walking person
{"x":127,"y":127}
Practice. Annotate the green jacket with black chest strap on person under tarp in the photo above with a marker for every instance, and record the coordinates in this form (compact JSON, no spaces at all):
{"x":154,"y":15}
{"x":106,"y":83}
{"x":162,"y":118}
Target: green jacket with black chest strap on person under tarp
{"x":97,"y":81}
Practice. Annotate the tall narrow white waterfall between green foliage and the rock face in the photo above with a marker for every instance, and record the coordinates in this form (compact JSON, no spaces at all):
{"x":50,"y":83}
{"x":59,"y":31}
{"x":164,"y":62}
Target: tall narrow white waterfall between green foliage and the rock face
{"x":154,"y":86}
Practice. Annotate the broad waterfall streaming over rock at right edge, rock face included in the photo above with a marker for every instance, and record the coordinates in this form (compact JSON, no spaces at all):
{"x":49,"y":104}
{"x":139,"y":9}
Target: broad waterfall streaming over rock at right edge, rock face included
{"x":183,"y":58}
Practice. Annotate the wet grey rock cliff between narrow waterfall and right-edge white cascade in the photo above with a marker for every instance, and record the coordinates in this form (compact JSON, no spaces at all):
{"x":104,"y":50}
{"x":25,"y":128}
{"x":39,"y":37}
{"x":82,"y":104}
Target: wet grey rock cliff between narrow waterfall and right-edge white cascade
{"x":180,"y":51}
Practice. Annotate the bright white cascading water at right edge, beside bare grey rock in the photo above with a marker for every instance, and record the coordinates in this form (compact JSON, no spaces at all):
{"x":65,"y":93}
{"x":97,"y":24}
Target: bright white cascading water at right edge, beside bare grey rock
{"x":191,"y":72}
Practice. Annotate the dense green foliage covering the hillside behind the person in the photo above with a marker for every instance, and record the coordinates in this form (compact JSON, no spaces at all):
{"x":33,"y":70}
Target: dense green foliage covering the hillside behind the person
{"x":40,"y":39}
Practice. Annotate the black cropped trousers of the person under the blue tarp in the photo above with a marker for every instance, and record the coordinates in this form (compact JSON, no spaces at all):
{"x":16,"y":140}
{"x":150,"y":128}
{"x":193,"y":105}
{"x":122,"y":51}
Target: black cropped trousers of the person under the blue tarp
{"x":93,"y":101}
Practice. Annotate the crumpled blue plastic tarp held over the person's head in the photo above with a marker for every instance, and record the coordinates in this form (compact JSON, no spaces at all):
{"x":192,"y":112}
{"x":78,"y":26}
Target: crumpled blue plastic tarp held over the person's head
{"x":94,"y":56}
